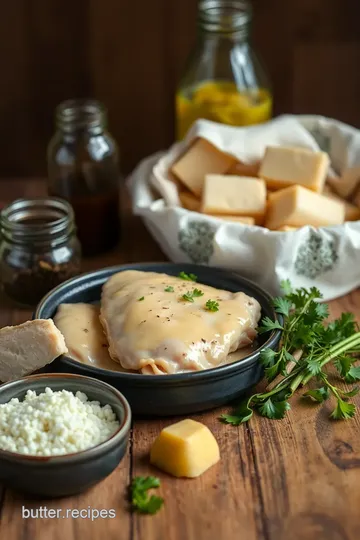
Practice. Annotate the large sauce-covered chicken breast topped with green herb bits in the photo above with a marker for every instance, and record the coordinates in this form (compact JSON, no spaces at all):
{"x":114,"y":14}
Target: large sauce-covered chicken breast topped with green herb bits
{"x":152,"y":327}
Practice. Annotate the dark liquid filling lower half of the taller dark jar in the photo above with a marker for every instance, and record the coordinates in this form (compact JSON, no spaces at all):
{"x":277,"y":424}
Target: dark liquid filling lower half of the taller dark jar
{"x":97,"y":218}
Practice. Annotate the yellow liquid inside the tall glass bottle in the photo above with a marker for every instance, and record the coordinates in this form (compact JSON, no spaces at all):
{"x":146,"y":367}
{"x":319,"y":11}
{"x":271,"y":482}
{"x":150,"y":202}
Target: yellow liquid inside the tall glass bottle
{"x":221,"y":102}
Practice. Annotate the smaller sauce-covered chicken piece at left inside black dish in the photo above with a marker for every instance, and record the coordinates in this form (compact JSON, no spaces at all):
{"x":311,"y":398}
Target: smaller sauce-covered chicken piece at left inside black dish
{"x":84,"y":336}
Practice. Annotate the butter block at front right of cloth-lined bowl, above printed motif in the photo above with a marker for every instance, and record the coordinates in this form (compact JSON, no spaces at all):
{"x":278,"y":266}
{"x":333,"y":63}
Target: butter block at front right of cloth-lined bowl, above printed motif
{"x":297,"y":206}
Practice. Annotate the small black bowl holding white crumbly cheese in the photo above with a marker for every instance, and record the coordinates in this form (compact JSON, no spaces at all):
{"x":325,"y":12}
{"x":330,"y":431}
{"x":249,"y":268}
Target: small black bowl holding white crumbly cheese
{"x":63,"y":475}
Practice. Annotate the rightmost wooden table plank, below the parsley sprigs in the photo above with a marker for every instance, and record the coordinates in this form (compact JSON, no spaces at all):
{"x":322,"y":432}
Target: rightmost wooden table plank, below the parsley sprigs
{"x":309,"y":467}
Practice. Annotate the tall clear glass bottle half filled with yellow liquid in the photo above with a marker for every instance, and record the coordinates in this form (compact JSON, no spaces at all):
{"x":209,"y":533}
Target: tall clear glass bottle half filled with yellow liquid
{"x":224,"y":80}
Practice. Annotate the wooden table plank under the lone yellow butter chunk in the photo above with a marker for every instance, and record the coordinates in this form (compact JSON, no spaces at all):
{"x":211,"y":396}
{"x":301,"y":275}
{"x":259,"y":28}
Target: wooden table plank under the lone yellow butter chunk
{"x":224,"y":502}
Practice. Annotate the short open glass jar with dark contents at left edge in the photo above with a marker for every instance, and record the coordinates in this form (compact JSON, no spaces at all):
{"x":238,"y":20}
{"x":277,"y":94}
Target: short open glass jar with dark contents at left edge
{"x":39,"y":248}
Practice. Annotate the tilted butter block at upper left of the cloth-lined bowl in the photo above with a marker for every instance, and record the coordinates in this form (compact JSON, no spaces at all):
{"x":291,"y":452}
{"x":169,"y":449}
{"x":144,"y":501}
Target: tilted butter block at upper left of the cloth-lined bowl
{"x":200,"y":159}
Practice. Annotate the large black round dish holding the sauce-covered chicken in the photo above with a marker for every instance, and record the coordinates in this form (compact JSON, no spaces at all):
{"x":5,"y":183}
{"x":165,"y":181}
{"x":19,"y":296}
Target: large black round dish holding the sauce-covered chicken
{"x":165,"y":395}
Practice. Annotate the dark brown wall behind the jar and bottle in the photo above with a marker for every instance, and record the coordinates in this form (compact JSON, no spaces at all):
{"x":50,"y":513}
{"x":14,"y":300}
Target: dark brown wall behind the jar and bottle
{"x":130,"y":54}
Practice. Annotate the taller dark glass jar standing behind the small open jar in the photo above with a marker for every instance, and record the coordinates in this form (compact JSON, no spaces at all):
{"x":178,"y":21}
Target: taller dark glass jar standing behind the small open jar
{"x":83,"y":168}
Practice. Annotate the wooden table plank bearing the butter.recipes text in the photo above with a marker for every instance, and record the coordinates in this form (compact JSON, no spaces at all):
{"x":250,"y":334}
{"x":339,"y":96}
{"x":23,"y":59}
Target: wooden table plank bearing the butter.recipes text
{"x":110,"y":494}
